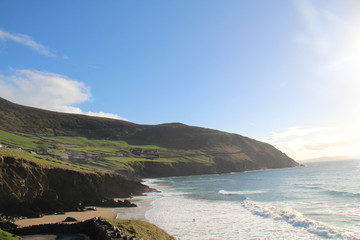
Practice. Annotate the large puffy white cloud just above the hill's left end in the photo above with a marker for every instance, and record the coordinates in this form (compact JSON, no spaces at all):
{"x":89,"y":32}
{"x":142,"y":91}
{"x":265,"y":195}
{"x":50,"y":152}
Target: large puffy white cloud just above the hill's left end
{"x":48,"y":91}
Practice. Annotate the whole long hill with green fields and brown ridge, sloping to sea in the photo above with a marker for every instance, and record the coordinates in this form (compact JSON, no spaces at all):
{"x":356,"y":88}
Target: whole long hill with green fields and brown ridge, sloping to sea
{"x":144,"y":150}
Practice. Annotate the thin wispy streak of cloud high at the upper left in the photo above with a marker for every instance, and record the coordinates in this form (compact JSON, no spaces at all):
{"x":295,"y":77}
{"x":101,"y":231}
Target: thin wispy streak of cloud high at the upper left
{"x":27,"y":41}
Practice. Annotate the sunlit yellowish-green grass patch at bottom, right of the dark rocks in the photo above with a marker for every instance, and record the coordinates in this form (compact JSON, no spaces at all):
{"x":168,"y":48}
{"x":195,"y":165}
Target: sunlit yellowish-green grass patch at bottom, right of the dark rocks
{"x":141,"y":229}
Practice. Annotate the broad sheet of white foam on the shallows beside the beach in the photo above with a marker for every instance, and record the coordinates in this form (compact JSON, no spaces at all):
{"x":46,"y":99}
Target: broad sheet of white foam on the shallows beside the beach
{"x":192,"y":219}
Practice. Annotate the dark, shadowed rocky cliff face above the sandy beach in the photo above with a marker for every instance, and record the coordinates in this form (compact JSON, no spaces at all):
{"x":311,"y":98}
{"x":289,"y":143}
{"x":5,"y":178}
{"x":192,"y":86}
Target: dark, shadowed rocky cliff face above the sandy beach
{"x":28,"y":189}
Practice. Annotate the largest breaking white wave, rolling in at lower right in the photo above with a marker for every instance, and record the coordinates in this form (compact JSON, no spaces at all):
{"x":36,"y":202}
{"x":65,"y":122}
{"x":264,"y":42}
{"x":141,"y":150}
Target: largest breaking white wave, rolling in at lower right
{"x":297,"y":219}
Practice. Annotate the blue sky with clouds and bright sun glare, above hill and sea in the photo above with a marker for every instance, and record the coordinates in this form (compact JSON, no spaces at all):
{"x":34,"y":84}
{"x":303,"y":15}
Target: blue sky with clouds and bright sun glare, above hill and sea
{"x":285,"y":72}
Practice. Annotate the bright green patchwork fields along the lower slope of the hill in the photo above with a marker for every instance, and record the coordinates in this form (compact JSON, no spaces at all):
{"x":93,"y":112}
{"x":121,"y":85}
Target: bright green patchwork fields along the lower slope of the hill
{"x":82,"y":154}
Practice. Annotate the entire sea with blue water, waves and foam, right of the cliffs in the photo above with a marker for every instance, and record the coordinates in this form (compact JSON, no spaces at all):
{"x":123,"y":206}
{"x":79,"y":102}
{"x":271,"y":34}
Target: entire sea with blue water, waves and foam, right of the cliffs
{"x":318,"y":201}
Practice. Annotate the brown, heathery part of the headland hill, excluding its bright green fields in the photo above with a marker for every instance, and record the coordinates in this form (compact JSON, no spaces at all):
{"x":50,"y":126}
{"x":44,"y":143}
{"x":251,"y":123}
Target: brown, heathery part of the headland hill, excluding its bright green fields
{"x":216,"y":151}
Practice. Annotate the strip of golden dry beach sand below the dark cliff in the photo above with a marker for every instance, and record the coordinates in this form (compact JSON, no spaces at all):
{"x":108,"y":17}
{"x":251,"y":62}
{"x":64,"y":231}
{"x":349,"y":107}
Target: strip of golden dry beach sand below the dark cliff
{"x":80,"y":216}
